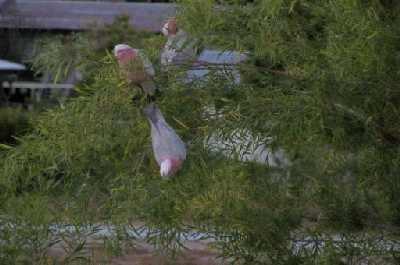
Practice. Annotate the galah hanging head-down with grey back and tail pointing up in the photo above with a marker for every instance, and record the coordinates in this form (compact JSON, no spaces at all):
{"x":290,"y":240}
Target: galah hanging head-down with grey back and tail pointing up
{"x":168,"y":148}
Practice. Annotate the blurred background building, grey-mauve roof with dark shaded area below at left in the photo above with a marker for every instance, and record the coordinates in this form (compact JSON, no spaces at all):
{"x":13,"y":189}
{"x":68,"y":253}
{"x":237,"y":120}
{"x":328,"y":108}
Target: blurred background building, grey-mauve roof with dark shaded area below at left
{"x":23,"y":21}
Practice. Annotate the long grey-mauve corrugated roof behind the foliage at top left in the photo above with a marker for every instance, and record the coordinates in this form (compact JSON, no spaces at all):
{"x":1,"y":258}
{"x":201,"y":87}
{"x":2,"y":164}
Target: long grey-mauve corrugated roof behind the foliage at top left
{"x":78,"y":15}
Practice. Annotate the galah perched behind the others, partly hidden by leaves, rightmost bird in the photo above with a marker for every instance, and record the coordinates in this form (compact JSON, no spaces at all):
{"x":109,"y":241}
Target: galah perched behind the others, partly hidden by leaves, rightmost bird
{"x":178,"y":48}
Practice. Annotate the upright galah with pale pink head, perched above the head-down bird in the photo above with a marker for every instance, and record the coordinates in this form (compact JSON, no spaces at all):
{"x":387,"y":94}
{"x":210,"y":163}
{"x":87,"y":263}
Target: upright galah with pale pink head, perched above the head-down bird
{"x":136,"y":67}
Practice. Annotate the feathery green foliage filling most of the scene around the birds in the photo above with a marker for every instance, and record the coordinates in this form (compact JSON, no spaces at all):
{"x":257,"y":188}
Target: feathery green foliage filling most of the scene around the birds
{"x":321,"y":83}
